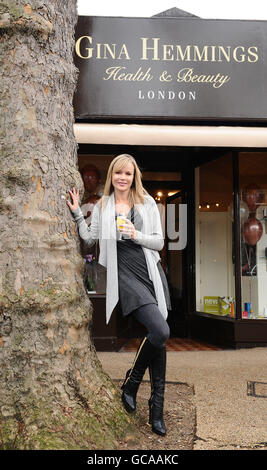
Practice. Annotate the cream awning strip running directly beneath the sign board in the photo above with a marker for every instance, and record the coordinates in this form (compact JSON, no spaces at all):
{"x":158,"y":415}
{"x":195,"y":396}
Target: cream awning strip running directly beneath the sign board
{"x":161,"y":135}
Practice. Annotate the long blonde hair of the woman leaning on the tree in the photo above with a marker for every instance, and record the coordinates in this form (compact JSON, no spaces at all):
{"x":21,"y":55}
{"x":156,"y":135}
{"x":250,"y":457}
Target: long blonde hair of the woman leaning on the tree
{"x":137,"y":190}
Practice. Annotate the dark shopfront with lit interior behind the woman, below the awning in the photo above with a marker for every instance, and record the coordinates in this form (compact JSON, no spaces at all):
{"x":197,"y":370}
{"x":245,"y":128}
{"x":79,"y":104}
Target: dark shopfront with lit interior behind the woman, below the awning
{"x":202,"y":276}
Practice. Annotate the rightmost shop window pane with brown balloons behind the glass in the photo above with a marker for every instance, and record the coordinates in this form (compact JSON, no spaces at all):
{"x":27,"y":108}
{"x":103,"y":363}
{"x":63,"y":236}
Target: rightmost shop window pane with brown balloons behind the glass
{"x":253,"y":234}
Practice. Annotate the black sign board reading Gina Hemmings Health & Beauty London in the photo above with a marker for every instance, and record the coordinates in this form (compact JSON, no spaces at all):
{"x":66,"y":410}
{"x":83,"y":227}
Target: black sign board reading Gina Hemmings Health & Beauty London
{"x":170,"y":68}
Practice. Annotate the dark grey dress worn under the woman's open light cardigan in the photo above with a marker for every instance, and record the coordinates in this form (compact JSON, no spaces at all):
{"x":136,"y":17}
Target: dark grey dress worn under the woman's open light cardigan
{"x":135,"y":287}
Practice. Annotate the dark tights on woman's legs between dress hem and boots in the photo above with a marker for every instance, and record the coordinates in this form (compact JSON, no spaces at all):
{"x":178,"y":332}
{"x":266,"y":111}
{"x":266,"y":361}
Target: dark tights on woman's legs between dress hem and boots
{"x":157,"y":327}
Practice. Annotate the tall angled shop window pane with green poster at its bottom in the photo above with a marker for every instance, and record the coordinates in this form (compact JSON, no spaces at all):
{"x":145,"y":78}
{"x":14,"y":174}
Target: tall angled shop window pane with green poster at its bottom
{"x":215,"y":278}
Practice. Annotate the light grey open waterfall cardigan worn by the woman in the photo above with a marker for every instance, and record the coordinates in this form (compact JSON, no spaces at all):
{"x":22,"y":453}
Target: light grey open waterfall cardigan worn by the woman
{"x":103,"y":228}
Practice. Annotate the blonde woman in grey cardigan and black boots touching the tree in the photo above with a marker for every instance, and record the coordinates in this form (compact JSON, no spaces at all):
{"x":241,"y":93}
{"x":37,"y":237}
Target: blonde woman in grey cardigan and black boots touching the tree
{"x":135,"y":277}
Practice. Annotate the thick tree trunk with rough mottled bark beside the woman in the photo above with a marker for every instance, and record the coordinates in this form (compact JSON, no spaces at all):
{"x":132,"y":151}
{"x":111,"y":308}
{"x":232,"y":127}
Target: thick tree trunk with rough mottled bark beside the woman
{"x":53,"y":391}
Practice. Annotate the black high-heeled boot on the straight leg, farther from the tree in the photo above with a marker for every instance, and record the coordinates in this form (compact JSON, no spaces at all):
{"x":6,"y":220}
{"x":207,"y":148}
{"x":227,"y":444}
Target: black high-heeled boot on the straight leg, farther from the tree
{"x":157,"y":372}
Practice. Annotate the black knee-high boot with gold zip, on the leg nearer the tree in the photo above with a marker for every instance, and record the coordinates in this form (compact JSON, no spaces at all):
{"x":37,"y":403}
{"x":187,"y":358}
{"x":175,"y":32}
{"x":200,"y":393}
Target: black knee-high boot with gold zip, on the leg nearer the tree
{"x":145,"y":354}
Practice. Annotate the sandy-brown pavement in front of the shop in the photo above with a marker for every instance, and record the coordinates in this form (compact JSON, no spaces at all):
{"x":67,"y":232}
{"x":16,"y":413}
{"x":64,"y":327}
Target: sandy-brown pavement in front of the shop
{"x":228,"y":416}
